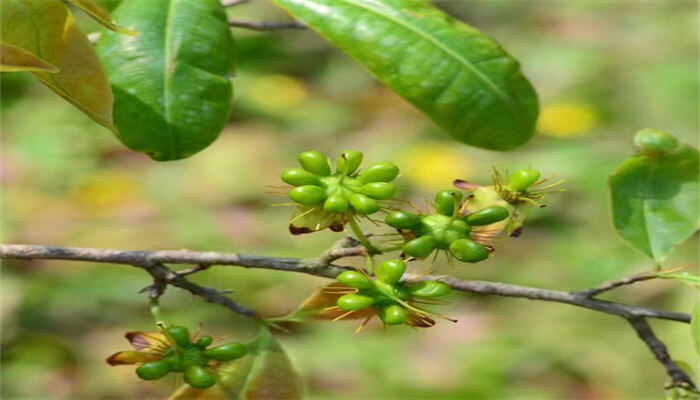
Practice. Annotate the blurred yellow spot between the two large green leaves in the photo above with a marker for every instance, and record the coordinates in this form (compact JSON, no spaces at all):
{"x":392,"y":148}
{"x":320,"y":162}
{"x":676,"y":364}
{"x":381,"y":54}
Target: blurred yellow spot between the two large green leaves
{"x":275,"y":93}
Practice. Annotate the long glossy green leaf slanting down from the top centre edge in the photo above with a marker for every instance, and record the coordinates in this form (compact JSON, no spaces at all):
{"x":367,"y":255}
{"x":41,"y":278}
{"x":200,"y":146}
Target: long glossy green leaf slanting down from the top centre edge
{"x":463,"y":80}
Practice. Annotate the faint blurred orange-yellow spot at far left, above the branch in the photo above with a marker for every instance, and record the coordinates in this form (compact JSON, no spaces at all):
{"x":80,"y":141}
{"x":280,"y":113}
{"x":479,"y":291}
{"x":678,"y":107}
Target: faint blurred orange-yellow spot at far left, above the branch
{"x":105,"y":190}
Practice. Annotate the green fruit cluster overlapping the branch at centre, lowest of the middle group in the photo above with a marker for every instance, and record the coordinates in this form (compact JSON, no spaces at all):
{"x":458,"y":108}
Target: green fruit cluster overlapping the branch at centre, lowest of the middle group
{"x":386,"y":293}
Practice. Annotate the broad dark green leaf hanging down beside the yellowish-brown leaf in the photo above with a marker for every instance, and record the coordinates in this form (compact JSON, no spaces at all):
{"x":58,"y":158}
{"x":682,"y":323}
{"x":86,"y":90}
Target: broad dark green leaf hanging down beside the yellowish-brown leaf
{"x":171,"y":86}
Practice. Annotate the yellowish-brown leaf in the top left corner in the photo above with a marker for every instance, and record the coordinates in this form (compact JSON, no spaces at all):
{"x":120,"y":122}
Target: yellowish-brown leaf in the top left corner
{"x":47,"y":29}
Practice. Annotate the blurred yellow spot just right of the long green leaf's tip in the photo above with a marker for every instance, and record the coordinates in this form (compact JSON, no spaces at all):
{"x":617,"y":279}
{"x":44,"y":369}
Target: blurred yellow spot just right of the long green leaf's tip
{"x":566,"y":119}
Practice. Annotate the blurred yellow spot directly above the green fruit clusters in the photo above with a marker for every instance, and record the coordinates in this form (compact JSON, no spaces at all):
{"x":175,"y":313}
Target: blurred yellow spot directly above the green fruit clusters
{"x":432,"y":165}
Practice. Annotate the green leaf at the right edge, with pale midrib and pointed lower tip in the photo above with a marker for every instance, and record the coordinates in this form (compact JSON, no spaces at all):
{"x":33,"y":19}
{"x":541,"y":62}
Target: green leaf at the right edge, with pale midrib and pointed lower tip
{"x":655,"y":195}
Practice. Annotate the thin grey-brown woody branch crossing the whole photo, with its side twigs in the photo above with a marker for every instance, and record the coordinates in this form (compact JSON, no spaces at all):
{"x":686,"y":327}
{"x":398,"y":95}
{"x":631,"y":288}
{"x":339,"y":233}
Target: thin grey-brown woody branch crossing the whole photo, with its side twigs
{"x":154,"y":262}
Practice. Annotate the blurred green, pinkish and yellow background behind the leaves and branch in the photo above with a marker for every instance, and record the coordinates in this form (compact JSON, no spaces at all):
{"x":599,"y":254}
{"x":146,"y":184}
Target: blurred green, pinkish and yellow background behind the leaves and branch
{"x":603,"y":70}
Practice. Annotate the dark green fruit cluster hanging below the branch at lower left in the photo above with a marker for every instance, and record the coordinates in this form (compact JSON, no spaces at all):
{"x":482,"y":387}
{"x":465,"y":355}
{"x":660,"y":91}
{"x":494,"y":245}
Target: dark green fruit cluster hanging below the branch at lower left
{"x":192,"y":359}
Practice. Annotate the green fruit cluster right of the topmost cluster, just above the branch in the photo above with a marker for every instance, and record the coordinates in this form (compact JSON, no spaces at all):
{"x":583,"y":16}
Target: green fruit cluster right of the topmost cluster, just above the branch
{"x":446,"y":229}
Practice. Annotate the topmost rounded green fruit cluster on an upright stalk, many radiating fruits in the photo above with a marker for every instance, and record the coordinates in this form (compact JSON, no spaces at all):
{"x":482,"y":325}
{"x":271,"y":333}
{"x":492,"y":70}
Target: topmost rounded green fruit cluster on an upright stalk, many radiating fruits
{"x":345,"y":190}
